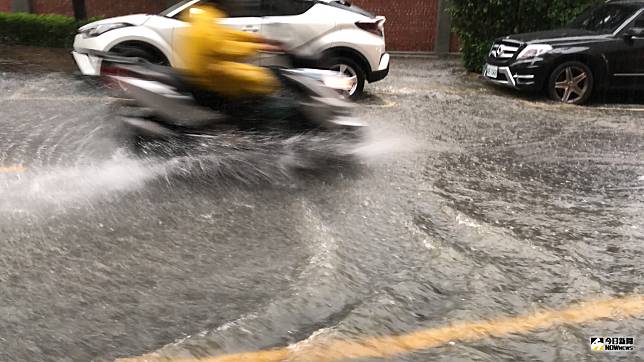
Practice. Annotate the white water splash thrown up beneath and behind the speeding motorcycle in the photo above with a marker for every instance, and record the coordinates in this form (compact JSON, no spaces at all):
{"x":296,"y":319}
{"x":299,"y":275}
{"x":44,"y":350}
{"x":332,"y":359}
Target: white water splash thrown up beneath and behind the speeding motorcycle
{"x":232,"y":158}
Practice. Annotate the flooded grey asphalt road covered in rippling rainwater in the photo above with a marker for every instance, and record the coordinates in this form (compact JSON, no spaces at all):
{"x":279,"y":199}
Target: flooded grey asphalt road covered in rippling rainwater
{"x":467,"y":203}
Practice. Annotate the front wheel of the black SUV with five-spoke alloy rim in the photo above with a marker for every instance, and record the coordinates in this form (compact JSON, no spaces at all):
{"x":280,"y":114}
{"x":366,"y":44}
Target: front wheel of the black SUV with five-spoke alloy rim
{"x":571,"y":83}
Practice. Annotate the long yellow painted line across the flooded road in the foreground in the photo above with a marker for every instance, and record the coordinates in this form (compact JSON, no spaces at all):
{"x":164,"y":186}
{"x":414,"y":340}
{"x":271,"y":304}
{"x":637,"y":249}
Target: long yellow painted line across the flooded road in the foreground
{"x":384,"y":347}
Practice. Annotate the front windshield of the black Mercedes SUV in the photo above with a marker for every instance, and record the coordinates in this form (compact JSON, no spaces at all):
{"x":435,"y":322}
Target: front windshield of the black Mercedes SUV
{"x":605,"y":19}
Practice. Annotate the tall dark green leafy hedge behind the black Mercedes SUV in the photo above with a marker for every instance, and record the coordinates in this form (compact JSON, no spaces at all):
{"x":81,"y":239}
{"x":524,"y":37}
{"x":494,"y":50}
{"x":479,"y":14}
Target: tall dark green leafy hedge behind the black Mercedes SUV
{"x":479,"y":22}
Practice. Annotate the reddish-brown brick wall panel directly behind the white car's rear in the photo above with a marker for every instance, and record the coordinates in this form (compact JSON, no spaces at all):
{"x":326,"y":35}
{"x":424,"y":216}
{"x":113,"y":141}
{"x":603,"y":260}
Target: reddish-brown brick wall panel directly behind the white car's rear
{"x":411,"y":24}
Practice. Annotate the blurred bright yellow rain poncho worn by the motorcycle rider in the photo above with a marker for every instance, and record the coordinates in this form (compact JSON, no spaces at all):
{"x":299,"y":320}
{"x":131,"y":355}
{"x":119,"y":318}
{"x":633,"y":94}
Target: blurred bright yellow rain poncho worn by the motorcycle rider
{"x":214,"y":56}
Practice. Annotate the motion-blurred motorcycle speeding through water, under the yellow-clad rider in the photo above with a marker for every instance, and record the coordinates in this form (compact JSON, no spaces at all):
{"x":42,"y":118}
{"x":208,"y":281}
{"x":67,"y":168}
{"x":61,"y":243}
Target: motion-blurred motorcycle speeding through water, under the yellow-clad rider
{"x":163,"y":104}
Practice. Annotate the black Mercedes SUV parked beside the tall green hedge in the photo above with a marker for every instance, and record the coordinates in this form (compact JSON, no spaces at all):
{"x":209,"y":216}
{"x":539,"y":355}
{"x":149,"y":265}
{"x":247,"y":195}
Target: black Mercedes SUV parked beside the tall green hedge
{"x":602,"y":49}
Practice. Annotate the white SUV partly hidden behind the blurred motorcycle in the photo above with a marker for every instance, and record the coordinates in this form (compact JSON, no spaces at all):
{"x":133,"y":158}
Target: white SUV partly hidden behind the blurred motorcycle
{"x":347,"y":38}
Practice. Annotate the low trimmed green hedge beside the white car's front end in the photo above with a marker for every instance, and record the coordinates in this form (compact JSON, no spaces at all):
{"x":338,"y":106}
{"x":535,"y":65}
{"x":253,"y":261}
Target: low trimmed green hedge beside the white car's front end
{"x":55,"y":31}
